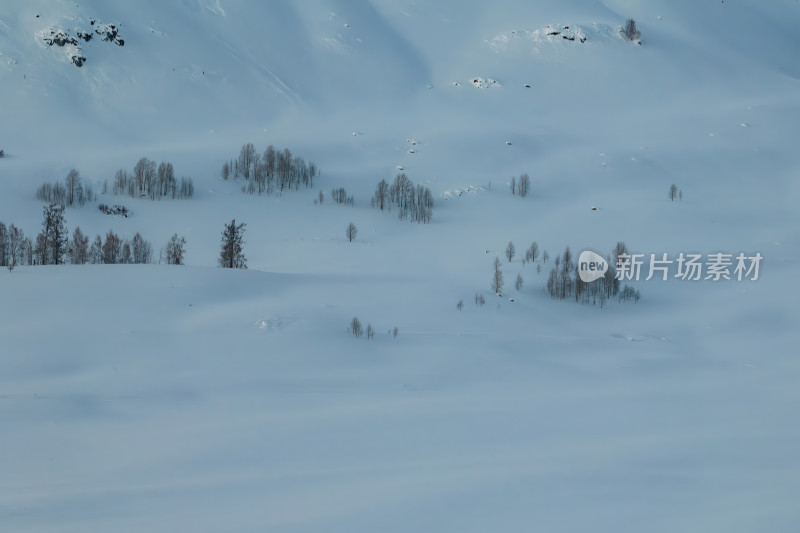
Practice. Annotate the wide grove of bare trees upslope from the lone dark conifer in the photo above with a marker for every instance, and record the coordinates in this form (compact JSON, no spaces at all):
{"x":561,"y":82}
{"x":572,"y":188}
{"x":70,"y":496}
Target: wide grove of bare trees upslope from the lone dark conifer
{"x":274,"y":170}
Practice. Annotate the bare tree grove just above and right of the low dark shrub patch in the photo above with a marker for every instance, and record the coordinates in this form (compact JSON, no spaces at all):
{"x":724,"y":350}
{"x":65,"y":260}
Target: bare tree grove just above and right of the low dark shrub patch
{"x":151,"y":180}
